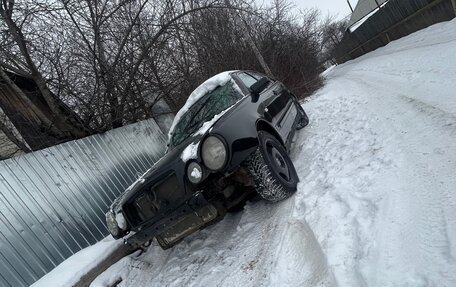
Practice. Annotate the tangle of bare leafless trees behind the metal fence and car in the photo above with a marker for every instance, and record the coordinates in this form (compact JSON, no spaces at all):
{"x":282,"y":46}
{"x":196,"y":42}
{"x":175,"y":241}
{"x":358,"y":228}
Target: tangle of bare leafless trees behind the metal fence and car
{"x":114,"y":62}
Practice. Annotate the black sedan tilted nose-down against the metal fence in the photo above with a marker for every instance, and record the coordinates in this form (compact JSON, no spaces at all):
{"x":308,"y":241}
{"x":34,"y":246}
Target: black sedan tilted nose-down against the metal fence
{"x":228,"y":143}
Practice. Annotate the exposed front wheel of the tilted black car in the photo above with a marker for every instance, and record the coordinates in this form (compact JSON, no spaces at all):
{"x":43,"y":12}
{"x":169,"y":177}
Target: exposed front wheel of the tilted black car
{"x":271,"y":167}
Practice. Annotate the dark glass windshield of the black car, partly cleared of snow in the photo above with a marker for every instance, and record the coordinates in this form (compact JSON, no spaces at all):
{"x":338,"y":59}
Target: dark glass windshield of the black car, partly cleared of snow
{"x":208,"y":106}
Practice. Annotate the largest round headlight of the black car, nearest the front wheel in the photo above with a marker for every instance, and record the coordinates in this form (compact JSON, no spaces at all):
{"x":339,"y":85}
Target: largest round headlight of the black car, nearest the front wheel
{"x":213,"y":153}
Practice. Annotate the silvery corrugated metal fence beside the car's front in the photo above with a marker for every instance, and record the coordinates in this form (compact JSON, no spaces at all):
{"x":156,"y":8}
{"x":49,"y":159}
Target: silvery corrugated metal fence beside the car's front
{"x":53,"y":201}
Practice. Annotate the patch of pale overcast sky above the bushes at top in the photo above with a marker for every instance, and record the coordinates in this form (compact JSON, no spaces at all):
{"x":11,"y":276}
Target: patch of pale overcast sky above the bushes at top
{"x":333,"y":7}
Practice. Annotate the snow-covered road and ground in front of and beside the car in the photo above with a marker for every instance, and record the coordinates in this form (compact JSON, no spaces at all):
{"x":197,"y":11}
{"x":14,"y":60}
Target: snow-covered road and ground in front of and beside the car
{"x":376,"y":205}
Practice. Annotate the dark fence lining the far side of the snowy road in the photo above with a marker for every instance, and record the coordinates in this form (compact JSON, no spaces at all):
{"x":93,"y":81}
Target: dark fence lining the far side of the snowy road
{"x":396,"y":19}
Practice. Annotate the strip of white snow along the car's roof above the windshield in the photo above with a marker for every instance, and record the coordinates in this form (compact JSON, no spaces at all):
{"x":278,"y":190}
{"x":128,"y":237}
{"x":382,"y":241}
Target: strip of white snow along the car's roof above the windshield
{"x":206,"y":87}
